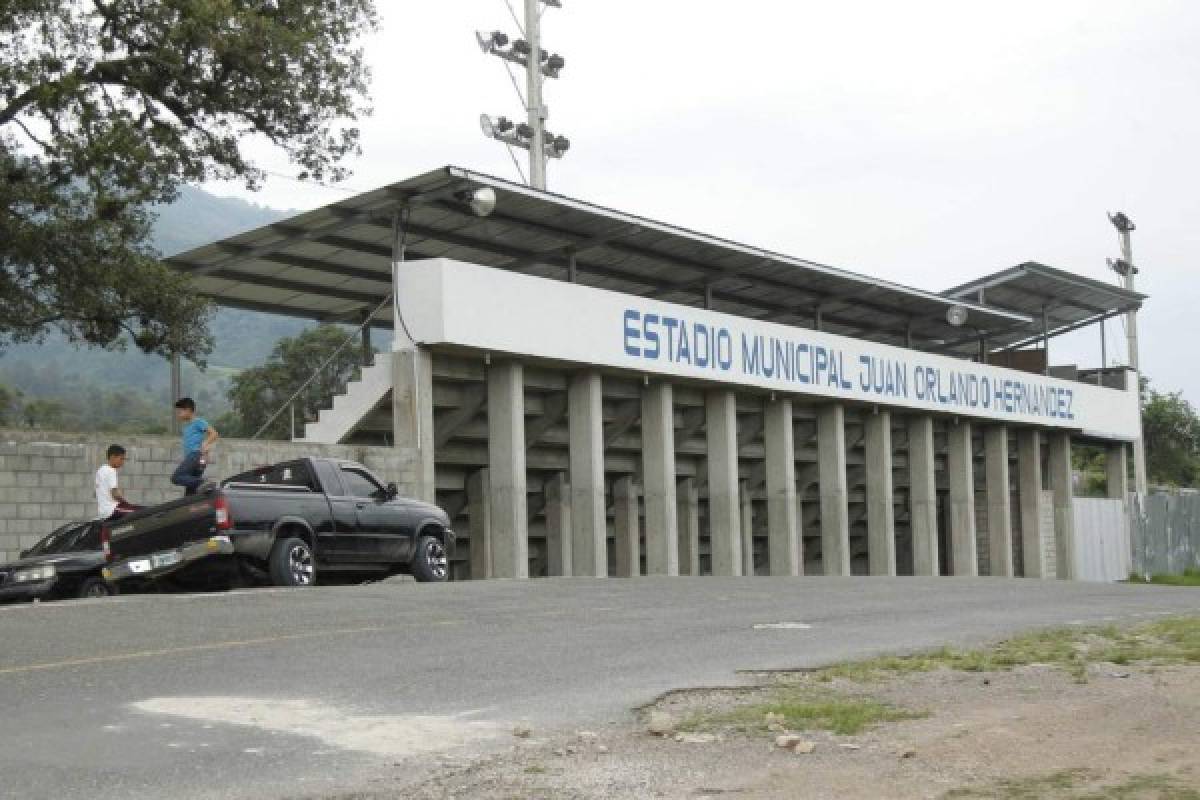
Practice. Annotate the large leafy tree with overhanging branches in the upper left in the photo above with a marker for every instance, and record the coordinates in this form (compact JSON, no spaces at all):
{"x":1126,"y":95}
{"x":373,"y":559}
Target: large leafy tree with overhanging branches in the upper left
{"x":110,"y":106}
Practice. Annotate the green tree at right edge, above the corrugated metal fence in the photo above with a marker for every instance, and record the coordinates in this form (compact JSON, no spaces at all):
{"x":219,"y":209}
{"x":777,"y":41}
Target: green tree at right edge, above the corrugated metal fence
{"x":1173,"y":438}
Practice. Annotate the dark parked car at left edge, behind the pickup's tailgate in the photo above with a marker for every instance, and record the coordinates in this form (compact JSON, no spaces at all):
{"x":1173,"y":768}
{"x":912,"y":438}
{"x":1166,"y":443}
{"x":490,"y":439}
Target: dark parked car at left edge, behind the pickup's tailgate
{"x":65,"y":564}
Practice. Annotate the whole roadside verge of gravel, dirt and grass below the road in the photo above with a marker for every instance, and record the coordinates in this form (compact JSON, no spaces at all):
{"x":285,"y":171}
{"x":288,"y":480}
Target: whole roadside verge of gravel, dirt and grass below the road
{"x":1091,"y":721}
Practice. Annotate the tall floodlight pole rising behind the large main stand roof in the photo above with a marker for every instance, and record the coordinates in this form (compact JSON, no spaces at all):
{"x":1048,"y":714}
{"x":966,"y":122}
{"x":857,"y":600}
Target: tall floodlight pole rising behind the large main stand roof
{"x":539,"y":65}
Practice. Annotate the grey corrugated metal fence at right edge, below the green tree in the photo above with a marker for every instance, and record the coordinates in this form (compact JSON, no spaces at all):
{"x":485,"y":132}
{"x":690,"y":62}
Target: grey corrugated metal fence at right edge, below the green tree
{"x":1166,"y":533}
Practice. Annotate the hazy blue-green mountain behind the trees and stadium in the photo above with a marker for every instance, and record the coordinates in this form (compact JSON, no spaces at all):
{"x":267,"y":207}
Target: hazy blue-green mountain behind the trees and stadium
{"x":101,"y":390}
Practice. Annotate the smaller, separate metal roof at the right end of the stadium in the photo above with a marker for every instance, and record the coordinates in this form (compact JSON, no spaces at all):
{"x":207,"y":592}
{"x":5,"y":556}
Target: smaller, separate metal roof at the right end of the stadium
{"x":1069,"y":302}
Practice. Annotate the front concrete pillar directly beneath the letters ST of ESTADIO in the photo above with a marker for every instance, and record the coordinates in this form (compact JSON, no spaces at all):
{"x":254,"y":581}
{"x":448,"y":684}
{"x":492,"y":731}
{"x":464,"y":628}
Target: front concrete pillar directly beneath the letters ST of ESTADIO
{"x":659,"y":480}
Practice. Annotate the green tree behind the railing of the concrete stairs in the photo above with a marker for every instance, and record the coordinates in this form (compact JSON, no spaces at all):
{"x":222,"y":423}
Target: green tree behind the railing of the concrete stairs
{"x":260,"y":393}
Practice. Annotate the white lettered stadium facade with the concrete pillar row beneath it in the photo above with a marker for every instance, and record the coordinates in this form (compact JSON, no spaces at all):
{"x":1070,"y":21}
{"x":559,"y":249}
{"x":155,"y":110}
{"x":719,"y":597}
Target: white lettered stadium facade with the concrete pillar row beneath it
{"x":598,"y":462}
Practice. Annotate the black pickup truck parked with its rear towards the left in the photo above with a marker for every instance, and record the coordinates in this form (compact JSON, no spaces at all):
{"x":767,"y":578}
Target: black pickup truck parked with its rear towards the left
{"x":293,"y":521}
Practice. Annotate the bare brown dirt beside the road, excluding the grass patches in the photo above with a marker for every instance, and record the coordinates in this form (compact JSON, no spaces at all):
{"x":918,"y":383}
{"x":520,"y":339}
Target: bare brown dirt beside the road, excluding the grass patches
{"x":1035,"y":732}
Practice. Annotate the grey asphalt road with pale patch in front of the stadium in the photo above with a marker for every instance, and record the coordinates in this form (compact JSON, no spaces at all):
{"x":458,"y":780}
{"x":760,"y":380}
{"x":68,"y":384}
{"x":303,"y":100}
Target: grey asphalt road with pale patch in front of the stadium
{"x":273,"y":694}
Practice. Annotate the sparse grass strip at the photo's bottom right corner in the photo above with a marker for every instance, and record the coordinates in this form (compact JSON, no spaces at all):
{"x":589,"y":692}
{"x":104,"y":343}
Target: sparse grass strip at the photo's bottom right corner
{"x":1081,"y":785}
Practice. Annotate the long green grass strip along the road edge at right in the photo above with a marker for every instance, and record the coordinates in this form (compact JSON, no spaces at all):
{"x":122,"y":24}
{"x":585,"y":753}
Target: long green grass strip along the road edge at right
{"x":1167,"y":642}
